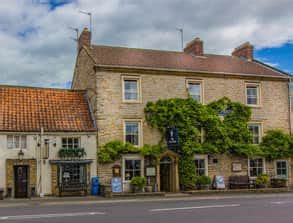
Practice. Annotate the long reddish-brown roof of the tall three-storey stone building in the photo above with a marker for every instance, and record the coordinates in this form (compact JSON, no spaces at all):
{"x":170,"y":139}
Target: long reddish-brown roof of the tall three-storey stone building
{"x":144,"y":58}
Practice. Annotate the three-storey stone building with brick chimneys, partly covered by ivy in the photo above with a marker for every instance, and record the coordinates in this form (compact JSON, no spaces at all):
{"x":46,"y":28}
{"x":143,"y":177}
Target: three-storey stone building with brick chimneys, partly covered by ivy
{"x":120,"y":81}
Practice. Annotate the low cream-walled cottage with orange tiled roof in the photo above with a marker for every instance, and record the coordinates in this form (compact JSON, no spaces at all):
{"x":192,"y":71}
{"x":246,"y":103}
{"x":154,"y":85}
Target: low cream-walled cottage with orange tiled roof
{"x":36,"y":125}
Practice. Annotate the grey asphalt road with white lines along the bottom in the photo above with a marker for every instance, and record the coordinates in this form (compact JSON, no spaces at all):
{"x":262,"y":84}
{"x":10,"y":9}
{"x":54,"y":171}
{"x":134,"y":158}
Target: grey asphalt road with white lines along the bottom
{"x":251,"y":209}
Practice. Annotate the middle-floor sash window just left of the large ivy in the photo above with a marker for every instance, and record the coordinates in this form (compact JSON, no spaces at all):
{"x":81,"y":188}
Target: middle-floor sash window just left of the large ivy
{"x":132,"y":132}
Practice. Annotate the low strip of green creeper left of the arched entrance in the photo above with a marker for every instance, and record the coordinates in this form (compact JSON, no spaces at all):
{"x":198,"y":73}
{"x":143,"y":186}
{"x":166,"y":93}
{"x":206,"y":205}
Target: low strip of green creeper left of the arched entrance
{"x":113,"y":150}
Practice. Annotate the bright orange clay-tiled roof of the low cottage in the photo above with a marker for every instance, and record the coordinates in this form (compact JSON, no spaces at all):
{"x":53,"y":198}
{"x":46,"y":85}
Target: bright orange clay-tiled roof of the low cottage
{"x":26,"y":109}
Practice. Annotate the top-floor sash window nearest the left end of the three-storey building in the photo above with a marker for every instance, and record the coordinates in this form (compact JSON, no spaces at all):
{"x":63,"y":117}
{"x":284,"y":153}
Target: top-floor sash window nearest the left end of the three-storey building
{"x":131,"y":89}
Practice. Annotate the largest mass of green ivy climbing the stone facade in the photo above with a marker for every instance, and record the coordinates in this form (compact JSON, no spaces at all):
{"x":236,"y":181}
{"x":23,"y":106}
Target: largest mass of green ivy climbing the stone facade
{"x":190,"y":118}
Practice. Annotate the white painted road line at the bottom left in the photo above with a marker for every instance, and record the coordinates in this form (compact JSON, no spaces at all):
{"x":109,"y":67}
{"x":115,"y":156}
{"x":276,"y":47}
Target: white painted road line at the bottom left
{"x":57,"y":215}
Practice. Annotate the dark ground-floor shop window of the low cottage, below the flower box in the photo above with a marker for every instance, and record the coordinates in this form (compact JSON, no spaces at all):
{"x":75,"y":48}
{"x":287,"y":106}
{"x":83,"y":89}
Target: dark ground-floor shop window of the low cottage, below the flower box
{"x":73,"y":173}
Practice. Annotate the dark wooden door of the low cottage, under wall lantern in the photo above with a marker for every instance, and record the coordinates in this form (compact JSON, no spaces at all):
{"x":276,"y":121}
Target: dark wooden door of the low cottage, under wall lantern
{"x":21,"y":181}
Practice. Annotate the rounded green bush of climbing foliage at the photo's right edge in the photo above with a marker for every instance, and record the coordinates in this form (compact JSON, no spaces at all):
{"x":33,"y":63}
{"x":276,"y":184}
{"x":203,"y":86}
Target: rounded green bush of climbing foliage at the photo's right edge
{"x":276,"y":145}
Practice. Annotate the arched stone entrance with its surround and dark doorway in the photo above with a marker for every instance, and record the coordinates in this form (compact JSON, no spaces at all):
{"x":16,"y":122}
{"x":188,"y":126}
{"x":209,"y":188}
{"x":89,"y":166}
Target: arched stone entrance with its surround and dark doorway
{"x":167,"y":177}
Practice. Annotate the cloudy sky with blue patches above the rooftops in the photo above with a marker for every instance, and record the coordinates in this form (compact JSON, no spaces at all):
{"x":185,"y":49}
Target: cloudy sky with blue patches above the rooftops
{"x":36,"y":46}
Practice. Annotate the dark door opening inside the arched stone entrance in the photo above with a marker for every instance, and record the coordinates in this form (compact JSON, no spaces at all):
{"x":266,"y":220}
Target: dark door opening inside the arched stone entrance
{"x":165,"y":174}
